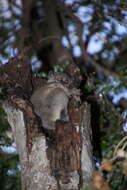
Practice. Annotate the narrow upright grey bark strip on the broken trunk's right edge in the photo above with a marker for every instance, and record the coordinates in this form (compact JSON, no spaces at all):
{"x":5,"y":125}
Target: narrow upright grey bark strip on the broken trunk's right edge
{"x":86,"y":150}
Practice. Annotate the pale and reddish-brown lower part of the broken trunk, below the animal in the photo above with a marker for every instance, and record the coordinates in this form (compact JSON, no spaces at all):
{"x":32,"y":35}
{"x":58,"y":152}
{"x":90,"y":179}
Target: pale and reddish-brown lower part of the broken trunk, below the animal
{"x":66,"y":163}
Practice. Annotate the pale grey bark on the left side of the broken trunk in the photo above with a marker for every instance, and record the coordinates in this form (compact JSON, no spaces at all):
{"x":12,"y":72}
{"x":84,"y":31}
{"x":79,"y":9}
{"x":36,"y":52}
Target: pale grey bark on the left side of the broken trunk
{"x":35,"y":167}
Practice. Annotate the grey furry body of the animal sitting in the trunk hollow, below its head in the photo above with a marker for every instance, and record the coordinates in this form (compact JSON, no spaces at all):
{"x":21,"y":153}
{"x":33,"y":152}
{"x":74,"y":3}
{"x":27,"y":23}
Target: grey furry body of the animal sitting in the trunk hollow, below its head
{"x":50,"y":104}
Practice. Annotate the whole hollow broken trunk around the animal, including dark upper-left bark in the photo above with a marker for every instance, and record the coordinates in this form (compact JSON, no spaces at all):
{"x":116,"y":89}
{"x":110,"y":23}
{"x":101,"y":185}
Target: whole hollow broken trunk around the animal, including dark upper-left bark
{"x":58,"y":159}
